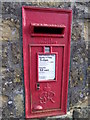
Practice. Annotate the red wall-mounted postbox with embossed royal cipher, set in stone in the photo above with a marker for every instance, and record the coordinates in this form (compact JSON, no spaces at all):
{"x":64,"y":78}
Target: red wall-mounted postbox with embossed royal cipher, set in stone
{"x":46,"y":55}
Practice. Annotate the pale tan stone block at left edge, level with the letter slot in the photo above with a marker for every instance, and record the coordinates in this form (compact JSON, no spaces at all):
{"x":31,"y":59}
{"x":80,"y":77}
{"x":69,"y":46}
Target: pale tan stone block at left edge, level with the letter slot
{"x":9,"y":30}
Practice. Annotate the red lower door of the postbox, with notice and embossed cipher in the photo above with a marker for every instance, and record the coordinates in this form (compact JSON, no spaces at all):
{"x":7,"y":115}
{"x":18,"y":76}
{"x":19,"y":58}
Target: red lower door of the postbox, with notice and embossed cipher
{"x":46,"y":73}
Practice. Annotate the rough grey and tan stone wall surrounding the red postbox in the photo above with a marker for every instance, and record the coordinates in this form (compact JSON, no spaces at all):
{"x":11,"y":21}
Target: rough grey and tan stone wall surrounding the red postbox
{"x":12,"y":84}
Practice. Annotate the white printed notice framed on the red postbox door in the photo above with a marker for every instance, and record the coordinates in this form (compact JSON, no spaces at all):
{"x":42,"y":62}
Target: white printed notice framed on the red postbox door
{"x":46,"y":67}
